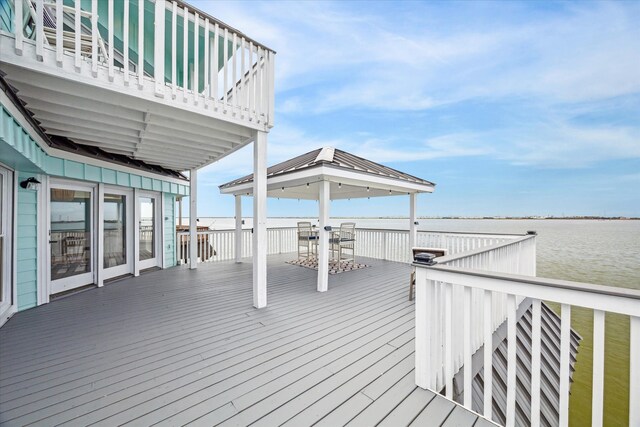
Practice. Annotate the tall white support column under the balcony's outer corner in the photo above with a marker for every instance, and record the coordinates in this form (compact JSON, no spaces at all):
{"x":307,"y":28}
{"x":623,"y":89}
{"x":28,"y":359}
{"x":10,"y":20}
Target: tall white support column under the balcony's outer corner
{"x":259,"y":220}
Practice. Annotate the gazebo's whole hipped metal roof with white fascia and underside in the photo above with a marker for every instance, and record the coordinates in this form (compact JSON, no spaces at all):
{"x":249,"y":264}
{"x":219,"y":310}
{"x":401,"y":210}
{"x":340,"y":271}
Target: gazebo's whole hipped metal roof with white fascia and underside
{"x":350,"y":177}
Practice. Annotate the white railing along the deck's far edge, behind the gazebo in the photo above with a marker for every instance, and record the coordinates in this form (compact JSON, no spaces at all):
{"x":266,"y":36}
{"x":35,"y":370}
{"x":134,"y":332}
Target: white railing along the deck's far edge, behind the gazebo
{"x":390,"y":245}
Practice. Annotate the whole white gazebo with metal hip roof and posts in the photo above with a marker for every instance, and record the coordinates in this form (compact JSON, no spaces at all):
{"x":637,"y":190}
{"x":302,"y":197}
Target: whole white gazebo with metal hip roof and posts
{"x":327,"y":174}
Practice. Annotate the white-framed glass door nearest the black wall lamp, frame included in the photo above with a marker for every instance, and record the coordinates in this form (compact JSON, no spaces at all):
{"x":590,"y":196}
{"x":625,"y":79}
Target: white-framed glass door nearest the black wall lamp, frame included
{"x":71,"y":236}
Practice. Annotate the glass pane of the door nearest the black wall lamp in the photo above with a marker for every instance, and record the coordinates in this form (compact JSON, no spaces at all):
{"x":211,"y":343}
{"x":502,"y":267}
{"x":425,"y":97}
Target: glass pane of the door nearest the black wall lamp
{"x":70,"y":233}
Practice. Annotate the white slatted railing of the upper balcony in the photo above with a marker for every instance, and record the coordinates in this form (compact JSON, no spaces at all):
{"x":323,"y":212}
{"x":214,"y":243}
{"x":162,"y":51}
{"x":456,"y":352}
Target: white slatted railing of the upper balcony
{"x":209,"y":65}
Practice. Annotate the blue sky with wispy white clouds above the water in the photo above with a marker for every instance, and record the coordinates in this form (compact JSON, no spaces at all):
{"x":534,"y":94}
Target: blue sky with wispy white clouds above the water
{"x":511,"y":108}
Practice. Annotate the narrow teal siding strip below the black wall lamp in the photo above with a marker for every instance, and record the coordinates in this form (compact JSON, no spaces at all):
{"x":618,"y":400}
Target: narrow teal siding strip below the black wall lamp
{"x":27,"y":246}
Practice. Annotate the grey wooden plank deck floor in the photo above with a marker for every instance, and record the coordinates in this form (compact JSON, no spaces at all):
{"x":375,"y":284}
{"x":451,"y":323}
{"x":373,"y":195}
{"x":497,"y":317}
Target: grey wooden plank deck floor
{"x":181,"y":347}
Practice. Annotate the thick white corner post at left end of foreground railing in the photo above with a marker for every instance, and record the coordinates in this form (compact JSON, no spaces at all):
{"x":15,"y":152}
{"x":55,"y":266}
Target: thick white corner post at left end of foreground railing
{"x":424,"y":304}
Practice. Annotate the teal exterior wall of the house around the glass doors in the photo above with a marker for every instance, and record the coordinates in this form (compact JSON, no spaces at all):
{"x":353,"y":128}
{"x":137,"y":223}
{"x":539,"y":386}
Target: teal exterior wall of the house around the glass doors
{"x":23,"y":154}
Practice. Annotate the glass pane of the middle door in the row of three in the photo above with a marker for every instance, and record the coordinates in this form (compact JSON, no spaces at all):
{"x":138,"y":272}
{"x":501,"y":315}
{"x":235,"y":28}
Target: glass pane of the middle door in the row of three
{"x":115,"y":230}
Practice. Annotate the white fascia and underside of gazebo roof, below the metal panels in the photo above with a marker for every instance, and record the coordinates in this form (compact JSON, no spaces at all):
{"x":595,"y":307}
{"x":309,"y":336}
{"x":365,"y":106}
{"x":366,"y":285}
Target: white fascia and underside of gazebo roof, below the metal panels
{"x":345,"y":184}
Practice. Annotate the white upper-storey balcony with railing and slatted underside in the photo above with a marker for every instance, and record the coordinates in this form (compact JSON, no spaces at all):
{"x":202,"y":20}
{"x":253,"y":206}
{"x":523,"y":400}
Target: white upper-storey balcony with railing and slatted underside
{"x":131,"y":78}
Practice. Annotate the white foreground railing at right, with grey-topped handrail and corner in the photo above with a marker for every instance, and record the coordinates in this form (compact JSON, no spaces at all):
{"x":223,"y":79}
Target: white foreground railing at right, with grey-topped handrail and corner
{"x":458,"y":306}
